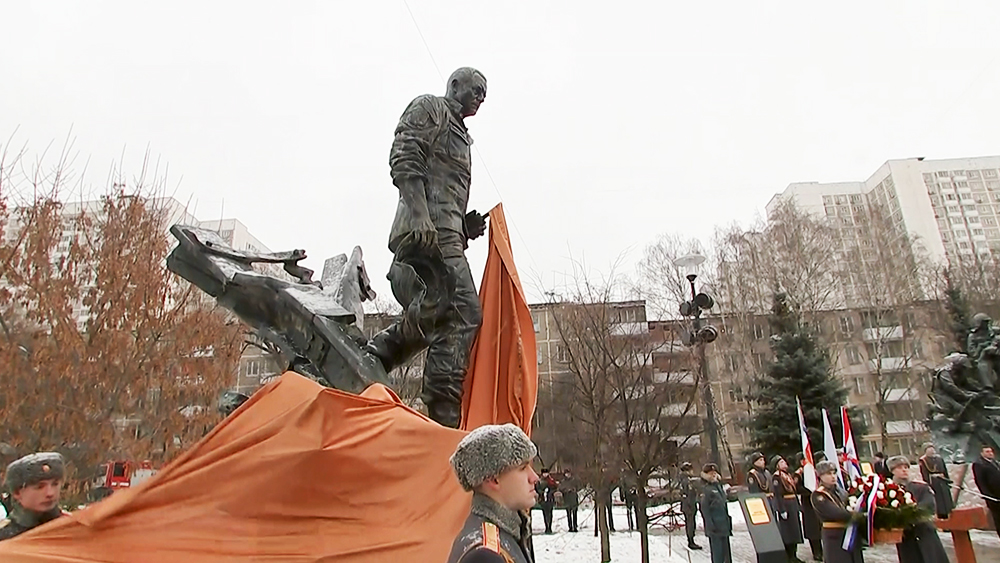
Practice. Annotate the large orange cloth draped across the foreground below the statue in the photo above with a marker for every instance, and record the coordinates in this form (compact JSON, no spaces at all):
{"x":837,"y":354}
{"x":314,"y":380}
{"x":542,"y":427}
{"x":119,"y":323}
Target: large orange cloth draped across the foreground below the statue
{"x":298,"y":473}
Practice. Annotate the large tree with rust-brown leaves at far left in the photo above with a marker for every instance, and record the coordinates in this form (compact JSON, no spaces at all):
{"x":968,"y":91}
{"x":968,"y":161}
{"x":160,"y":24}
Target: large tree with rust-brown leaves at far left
{"x":118,"y":356}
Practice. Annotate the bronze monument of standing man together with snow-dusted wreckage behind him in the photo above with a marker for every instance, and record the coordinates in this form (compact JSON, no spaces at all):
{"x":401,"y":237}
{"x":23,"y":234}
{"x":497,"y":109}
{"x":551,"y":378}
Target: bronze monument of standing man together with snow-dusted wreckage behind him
{"x":315,"y":325}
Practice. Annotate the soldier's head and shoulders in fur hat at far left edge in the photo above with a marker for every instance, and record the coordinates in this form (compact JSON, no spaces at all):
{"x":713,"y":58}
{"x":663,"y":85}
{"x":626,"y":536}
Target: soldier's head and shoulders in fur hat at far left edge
{"x":34,"y":482}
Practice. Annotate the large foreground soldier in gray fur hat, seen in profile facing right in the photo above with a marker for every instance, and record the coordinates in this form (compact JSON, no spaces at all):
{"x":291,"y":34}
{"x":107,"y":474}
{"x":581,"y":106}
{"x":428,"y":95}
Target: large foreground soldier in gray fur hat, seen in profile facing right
{"x":494,"y":462}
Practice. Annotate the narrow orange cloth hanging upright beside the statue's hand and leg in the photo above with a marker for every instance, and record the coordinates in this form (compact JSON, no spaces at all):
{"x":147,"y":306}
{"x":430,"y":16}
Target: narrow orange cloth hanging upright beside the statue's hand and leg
{"x":502,"y":381}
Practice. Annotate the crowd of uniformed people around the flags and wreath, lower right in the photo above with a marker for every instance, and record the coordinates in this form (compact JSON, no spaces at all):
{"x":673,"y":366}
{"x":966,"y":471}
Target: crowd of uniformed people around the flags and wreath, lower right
{"x":822,"y":516}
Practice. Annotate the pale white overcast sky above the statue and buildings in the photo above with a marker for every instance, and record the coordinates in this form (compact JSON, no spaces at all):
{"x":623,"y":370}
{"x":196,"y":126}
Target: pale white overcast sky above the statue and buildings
{"x":605,"y":124}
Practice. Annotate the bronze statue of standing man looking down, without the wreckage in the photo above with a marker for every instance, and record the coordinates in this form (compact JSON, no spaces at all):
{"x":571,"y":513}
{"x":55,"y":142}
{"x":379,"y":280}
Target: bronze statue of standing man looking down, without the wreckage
{"x":431,"y":165}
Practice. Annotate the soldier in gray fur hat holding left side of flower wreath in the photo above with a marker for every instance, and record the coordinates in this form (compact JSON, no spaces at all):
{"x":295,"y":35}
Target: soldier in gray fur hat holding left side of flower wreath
{"x":830,"y":503}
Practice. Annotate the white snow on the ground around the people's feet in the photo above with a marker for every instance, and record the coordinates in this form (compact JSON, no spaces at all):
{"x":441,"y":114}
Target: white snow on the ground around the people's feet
{"x":671,"y":547}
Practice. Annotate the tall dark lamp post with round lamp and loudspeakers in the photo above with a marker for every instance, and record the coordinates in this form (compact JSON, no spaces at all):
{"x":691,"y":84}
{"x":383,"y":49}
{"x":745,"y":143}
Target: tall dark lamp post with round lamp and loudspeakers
{"x":701,"y":335}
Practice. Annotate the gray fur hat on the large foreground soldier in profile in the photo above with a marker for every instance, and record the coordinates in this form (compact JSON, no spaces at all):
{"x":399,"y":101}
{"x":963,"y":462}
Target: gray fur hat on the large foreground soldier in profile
{"x":488,"y":451}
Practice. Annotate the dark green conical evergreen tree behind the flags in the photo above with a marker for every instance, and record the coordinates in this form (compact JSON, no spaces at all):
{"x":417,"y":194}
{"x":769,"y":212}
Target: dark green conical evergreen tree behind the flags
{"x":800,"y":368}
